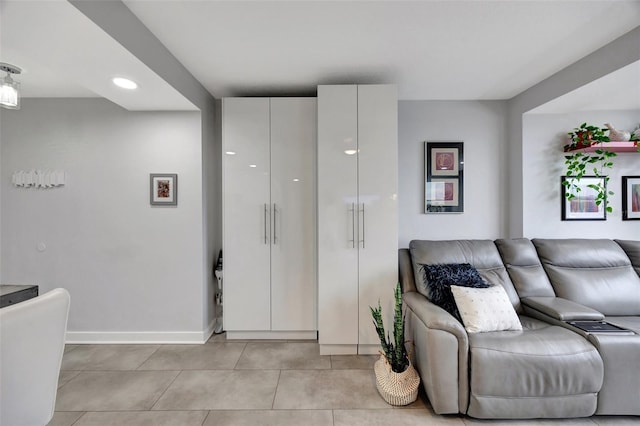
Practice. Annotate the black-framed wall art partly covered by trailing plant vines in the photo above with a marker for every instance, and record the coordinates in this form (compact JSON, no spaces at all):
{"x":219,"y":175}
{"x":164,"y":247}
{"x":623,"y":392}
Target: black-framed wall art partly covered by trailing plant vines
{"x":585,"y":205}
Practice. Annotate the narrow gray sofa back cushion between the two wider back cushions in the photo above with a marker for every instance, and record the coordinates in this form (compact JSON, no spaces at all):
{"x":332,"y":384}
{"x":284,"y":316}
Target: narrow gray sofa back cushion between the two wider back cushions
{"x":524,"y":268}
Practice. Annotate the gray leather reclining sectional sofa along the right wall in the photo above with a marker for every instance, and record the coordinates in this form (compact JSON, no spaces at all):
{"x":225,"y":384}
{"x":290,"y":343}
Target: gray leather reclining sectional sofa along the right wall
{"x":550,"y":369}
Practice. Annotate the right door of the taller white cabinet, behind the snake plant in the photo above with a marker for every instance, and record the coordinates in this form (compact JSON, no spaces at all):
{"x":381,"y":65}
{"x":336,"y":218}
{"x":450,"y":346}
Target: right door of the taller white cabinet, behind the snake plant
{"x":377,"y":195}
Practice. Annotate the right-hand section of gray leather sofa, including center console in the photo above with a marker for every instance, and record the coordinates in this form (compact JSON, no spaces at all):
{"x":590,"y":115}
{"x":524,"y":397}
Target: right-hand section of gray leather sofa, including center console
{"x":599,"y":278}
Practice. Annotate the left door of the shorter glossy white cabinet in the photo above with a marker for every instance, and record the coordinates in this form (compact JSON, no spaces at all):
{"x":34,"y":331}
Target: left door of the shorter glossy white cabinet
{"x":246,"y":212}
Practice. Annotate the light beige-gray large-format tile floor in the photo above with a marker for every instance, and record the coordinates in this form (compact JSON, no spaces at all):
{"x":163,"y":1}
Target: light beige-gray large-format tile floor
{"x":239,"y":383}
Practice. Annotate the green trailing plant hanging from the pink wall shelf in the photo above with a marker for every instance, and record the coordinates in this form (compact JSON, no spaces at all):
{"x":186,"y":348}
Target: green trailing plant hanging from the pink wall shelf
{"x":594,"y":163}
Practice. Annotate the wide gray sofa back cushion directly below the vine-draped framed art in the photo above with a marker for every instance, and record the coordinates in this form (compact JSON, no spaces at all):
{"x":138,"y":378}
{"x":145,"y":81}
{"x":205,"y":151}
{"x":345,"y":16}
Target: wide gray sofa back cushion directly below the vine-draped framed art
{"x":594,"y":273}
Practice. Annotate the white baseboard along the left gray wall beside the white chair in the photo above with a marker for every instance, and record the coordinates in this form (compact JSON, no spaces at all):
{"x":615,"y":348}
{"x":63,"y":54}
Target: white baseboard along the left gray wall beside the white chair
{"x":140,"y":337}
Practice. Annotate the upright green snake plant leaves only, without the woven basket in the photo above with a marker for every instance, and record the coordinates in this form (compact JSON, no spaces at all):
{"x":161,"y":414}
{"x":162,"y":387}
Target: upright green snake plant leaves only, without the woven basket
{"x":394,"y":350}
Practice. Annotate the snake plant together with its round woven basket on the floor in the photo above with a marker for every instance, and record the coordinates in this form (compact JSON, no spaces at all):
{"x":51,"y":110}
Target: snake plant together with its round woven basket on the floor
{"x":396,"y":379}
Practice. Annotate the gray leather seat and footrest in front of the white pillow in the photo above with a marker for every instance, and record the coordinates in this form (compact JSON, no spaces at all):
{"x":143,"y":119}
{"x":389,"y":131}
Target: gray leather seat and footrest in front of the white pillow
{"x":532,"y":367}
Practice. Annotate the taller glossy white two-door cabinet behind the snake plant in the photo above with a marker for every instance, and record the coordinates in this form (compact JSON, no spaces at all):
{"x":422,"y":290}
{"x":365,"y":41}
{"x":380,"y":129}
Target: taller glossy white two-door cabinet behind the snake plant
{"x":357,"y":213}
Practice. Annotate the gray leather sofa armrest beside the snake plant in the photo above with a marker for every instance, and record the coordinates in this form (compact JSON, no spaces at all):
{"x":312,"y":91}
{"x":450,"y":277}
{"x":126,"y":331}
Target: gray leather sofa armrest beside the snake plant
{"x":441,"y":353}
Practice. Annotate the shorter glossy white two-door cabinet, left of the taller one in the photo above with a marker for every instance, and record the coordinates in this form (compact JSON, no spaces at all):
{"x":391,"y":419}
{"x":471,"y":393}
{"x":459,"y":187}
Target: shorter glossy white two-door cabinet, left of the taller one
{"x":269,"y":221}
